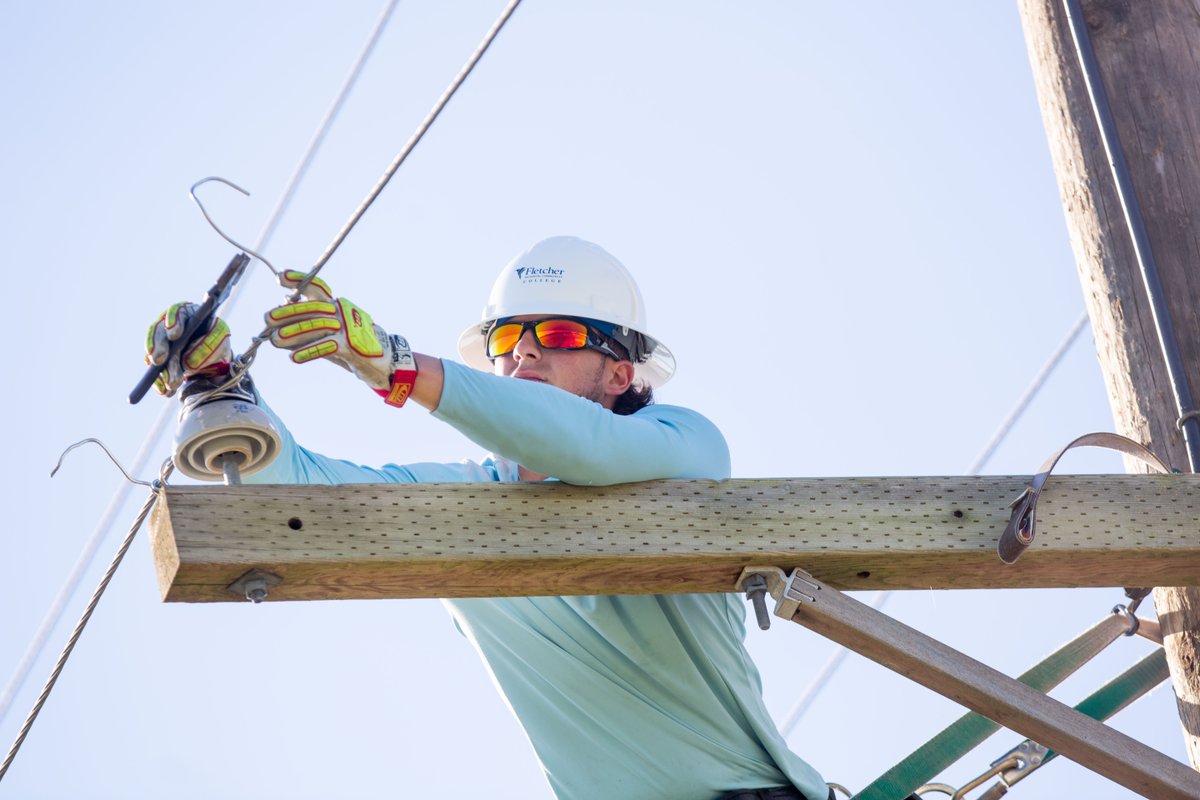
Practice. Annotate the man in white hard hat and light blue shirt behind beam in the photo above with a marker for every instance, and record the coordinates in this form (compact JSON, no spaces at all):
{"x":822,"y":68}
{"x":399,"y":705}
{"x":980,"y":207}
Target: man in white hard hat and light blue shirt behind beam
{"x":622,"y":697}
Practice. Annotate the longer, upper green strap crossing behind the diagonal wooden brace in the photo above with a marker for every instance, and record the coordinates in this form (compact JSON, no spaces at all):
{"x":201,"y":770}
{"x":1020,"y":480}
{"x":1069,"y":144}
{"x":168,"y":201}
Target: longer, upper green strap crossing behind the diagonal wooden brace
{"x":971,"y":730}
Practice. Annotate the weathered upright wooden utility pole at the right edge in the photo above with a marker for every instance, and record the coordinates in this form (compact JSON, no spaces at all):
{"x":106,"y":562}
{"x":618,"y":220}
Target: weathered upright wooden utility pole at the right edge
{"x":1149,"y":59}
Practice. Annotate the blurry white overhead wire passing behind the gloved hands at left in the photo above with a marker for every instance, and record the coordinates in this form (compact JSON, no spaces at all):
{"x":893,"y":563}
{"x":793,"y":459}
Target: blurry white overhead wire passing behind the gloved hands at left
{"x":58,"y":606}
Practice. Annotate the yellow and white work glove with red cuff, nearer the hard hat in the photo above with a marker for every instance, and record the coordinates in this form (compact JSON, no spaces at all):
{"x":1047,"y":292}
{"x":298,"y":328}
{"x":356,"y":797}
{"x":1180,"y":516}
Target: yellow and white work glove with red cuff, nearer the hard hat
{"x":323,"y":327}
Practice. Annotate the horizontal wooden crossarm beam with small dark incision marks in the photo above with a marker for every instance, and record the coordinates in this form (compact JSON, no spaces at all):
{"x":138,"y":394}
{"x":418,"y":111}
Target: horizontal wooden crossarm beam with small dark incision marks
{"x":393,"y":540}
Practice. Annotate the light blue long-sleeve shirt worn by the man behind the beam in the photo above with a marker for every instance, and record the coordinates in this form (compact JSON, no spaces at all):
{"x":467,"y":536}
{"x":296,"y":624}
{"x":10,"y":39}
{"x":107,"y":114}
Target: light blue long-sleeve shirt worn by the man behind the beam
{"x":625,"y":697}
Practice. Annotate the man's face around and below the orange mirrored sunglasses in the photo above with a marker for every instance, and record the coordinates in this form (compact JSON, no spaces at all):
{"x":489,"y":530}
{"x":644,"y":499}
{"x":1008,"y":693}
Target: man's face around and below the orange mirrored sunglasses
{"x":586,"y":374}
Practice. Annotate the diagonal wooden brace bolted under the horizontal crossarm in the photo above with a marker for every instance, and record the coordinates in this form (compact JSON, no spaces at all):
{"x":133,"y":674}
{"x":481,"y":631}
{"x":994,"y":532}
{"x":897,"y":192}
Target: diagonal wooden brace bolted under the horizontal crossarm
{"x":808,"y":601}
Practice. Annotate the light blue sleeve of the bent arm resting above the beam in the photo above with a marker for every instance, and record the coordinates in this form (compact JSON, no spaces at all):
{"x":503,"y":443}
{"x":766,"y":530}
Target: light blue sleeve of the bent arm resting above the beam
{"x":578,"y":441}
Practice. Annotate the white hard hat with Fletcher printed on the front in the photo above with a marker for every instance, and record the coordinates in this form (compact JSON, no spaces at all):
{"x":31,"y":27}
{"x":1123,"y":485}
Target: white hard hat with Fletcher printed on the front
{"x":569,"y":276}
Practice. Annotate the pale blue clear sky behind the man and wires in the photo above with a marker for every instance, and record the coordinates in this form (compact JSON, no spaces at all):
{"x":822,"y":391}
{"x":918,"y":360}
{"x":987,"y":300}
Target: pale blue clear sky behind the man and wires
{"x":843,"y":219}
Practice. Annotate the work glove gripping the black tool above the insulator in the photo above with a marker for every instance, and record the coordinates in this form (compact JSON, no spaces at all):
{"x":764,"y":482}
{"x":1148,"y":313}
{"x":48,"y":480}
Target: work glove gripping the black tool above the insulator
{"x":207,"y":357}
